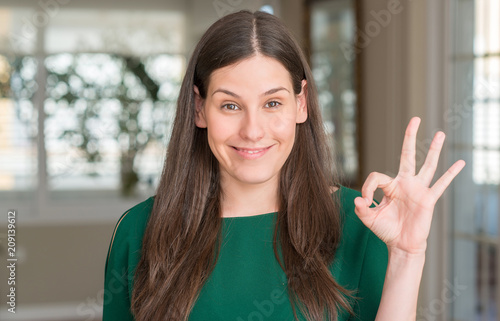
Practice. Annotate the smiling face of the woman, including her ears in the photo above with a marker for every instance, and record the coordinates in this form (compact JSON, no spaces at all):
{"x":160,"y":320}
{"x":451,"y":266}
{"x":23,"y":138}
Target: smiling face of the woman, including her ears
{"x":250,"y":112}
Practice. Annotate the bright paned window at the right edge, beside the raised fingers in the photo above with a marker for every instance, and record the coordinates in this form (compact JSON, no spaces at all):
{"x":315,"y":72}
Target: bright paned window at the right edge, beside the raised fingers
{"x":475,"y":119}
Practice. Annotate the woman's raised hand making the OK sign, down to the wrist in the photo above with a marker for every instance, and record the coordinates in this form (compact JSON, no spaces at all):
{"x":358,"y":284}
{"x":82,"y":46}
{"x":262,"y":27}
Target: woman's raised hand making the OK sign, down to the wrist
{"x":403,"y":218}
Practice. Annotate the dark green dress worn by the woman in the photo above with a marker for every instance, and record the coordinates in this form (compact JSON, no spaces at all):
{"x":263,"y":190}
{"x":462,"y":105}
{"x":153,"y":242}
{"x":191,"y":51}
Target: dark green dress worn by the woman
{"x":247,"y":282}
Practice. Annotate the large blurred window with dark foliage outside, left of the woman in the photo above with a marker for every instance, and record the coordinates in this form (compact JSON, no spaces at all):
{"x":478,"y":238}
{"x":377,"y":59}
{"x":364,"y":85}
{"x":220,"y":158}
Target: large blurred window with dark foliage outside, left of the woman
{"x":87,"y":97}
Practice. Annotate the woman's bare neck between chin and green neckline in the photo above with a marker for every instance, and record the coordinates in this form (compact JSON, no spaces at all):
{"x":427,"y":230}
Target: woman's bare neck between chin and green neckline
{"x":239,"y":199}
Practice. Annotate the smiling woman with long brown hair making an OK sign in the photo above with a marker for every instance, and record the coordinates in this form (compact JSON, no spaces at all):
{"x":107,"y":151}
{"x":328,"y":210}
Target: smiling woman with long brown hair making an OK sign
{"x":248,"y":222}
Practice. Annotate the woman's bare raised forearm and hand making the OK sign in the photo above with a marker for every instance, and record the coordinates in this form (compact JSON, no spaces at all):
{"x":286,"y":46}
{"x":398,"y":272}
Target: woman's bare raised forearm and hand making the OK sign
{"x":403,"y":219}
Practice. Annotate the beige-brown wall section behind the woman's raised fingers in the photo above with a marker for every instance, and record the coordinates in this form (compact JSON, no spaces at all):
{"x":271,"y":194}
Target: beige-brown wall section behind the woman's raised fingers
{"x":405,"y":75}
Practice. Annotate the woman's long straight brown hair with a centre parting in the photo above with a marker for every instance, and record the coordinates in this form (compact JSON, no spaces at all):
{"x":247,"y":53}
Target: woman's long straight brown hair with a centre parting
{"x":182,"y":239}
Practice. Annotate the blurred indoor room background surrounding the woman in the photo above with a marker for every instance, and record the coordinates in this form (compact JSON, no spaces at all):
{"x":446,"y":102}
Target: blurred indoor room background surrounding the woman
{"x":87,"y":98}
